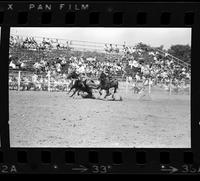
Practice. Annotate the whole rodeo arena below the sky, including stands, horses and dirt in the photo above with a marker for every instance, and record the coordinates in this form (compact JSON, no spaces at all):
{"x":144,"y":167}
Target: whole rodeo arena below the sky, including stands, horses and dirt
{"x":69,"y":93}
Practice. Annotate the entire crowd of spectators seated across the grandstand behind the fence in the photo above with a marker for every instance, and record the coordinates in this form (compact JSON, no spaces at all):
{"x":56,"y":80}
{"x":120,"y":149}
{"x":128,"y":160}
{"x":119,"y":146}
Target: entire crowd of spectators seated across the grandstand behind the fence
{"x":136,"y":63}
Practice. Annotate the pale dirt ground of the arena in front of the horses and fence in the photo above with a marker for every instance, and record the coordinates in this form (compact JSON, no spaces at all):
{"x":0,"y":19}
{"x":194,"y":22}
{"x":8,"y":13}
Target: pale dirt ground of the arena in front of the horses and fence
{"x":53,"y":119}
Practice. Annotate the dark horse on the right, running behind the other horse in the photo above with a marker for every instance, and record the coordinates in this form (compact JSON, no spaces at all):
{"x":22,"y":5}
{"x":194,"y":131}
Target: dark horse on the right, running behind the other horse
{"x":106,"y":83}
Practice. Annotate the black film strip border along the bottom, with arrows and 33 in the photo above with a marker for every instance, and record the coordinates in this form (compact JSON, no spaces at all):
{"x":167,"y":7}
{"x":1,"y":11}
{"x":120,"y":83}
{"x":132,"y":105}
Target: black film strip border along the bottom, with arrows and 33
{"x":98,"y":161}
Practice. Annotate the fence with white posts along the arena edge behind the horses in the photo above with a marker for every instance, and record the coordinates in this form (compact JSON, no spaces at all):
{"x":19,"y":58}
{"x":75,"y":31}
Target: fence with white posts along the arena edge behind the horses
{"x":51,"y":83}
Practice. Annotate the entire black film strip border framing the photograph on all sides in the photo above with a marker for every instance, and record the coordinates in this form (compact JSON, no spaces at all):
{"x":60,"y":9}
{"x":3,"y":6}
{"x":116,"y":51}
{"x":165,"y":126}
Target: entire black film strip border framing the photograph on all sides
{"x":94,"y":160}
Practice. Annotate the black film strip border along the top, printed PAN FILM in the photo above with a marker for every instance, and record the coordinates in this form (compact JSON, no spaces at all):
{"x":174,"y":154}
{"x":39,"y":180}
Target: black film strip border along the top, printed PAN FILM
{"x":98,"y":14}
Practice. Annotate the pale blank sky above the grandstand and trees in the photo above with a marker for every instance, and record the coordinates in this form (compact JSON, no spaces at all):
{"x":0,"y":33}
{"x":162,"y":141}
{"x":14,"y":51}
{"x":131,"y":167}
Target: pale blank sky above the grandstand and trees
{"x":150,"y":36}
